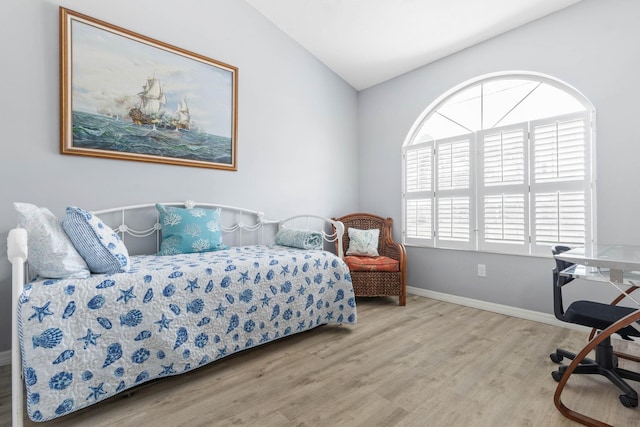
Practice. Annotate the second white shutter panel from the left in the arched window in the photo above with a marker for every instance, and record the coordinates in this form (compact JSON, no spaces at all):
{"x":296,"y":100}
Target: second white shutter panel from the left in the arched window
{"x":454,"y":193}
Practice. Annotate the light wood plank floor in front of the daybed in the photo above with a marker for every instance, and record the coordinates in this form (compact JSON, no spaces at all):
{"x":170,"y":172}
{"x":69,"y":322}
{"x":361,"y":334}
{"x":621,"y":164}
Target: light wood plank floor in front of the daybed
{"x":427,"y":364}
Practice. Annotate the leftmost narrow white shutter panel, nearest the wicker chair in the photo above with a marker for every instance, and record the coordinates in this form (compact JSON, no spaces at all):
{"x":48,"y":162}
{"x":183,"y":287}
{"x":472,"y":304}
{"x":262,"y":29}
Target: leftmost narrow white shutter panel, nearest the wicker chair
{"x":419,"y":194}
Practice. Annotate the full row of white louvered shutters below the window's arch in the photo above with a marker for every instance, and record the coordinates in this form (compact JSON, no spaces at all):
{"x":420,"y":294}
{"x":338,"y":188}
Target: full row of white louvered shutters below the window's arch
{"x":516,"y":189}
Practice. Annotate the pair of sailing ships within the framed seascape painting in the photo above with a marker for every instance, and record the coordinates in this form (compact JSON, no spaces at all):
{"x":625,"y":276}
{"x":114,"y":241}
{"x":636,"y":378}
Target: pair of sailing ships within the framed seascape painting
{"x":150,"y":109}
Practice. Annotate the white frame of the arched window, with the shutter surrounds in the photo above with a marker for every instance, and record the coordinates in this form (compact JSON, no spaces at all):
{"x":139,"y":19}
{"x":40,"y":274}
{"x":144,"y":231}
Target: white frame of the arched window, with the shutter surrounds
{"x":477,"y":240}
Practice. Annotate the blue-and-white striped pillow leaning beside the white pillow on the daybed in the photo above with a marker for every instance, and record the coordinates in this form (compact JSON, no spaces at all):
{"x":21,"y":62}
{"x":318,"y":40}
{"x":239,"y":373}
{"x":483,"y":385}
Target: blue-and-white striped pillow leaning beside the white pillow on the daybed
{"x":101,"y":248}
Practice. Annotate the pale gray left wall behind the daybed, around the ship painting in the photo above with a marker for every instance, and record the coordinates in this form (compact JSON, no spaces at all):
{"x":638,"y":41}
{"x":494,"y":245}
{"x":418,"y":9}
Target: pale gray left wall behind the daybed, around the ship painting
{"x":297,"y":120}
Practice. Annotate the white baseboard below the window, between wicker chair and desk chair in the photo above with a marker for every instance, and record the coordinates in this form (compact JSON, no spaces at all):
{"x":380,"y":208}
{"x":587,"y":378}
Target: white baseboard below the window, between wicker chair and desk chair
{"x":521,"y":313}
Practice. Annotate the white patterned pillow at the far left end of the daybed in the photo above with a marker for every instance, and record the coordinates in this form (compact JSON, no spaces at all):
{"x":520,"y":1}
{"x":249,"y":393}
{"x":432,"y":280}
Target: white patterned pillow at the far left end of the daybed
{"x":51,"y":253}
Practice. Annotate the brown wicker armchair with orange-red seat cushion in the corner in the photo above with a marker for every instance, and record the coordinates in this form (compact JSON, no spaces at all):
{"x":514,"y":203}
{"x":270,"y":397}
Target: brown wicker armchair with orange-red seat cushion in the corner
{"x":369,"y":280}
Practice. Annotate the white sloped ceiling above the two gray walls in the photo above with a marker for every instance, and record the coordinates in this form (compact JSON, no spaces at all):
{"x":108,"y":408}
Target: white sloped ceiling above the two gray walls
{"x":369,"y":41}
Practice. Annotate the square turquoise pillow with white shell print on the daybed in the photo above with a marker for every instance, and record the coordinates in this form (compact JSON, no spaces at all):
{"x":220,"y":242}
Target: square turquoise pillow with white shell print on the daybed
{"x":187,"y":231}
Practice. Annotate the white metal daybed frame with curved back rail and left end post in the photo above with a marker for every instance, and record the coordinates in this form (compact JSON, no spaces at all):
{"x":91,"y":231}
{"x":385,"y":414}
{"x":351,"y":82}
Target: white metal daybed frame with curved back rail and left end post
{"x":239,"y":226}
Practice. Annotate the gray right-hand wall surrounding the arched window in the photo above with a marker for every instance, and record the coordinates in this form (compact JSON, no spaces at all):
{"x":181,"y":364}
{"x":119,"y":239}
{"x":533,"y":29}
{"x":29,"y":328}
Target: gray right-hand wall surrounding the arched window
{"x":592,"y":46}
